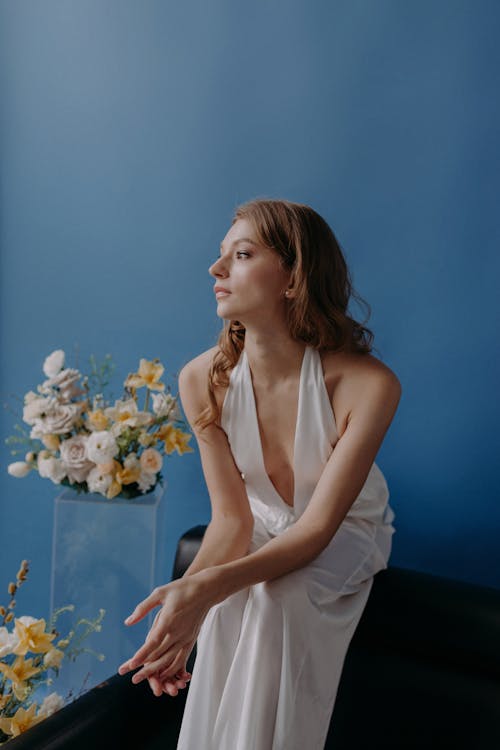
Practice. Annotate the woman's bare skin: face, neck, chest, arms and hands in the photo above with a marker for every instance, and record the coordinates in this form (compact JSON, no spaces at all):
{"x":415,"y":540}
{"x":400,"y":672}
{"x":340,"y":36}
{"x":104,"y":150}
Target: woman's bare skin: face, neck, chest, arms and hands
{"x":364,"y":394}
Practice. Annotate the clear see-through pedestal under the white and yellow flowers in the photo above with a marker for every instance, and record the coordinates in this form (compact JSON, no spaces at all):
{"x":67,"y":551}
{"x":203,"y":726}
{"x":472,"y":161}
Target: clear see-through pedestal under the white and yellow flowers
{"x":106,"y":554}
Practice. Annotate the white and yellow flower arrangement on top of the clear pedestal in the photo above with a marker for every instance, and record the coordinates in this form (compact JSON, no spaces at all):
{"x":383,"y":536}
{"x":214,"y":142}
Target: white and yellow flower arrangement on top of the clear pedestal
{"x":79,"y":439}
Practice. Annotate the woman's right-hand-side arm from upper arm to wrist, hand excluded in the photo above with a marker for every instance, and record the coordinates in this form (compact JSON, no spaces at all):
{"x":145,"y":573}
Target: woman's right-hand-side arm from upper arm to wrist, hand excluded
{"x":339,"y":485}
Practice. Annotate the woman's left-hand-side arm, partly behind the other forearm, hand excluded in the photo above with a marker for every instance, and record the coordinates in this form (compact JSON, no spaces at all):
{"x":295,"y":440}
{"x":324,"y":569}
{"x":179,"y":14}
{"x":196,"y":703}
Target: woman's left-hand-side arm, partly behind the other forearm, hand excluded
{"x":229,"y":532}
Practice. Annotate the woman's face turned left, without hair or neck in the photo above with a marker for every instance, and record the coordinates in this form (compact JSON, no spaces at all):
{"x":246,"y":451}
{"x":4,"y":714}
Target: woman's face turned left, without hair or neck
{"x":250,"y":281}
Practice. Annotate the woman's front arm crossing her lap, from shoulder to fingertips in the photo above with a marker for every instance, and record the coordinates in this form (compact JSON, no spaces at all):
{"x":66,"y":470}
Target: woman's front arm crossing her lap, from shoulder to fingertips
{"x":186,"y":602}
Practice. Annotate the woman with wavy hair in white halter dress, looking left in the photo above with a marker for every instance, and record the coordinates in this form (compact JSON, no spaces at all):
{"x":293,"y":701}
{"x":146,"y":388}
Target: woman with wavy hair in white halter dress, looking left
{"x":288,"y":429}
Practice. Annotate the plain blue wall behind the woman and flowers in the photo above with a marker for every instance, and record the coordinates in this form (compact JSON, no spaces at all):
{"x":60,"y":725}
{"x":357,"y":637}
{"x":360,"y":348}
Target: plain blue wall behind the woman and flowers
{"x":130,"y":131}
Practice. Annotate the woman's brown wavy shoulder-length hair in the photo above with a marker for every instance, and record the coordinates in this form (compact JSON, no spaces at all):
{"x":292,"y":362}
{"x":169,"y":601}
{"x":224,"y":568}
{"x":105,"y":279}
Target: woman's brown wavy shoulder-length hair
{"x":317,"y":312}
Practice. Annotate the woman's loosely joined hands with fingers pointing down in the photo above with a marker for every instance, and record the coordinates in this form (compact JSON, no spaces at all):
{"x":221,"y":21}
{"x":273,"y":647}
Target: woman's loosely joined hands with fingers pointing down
{"x":172,"y":637}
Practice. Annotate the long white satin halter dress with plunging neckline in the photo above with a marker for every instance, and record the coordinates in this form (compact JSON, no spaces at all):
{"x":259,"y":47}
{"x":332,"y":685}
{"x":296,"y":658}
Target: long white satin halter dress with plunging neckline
{"x":269,"y":657}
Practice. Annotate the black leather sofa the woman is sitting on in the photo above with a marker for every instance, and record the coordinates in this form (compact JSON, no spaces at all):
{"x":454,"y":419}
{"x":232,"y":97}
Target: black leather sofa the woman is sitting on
{"x":422,"y":671}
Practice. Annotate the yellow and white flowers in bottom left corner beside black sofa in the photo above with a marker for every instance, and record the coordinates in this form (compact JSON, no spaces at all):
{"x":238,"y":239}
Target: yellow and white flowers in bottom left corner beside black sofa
{"x":27,"y":653}
